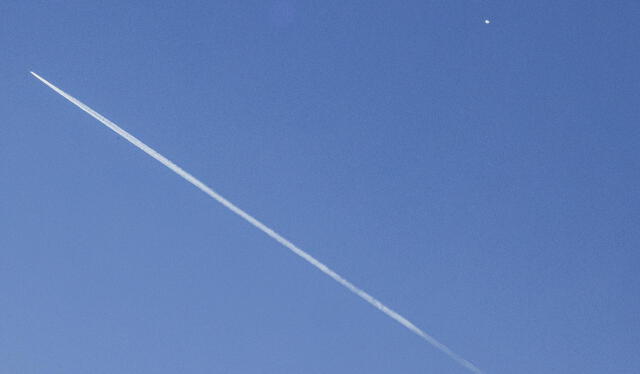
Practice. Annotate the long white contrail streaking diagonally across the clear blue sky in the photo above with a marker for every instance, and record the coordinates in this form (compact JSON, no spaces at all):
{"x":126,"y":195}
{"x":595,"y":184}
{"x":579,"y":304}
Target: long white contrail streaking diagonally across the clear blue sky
{"x":262,"y":227}
